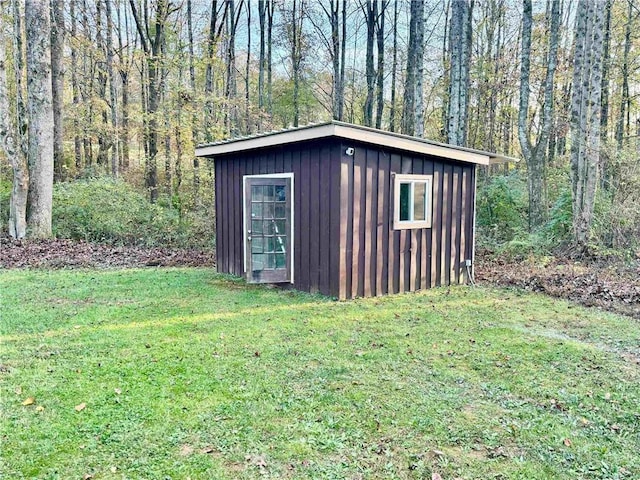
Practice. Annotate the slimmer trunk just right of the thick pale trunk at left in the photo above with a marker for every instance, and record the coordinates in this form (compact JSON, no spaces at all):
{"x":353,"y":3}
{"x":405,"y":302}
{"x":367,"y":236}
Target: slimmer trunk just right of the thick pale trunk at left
{"x":57,"y":77}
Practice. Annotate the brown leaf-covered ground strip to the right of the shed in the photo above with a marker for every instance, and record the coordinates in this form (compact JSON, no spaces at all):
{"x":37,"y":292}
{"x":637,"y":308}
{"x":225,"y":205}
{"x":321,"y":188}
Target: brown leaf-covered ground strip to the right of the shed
{"x":611,"y":287}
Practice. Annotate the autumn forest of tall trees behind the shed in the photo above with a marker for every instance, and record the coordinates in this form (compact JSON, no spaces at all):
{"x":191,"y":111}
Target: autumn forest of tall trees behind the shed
{"x":127,"y":88}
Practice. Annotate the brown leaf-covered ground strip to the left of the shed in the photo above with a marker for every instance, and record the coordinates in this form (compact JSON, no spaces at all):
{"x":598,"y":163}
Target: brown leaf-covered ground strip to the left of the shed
{"x":76,"y":254}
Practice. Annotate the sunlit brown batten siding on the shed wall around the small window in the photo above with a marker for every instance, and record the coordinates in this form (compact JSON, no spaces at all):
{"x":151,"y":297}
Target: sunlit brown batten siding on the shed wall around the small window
{"x":375,"y":259}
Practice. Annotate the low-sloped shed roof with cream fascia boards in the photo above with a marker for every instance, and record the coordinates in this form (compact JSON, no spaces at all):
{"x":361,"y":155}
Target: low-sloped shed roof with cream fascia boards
{"x":349,"y":131}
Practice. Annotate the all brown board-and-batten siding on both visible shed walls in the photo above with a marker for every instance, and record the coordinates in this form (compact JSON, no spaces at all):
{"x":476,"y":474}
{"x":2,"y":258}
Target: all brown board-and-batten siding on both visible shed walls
{"x":344,"y":242}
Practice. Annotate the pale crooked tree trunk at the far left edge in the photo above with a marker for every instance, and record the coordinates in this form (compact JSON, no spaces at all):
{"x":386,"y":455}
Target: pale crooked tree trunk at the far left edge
{"x":11,"y":140}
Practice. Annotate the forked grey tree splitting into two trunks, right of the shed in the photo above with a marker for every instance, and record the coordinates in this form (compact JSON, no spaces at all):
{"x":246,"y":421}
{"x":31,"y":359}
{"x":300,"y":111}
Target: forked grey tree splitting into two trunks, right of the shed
{"x":535,"y":153}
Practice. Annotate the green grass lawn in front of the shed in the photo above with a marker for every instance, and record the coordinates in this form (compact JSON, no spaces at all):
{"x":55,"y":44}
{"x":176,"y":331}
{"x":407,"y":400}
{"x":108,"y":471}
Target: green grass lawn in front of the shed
{"x":187,"y":374}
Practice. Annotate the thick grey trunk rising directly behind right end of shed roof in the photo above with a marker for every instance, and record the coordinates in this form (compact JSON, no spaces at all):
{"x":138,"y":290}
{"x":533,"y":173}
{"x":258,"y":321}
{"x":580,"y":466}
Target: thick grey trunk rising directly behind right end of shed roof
{"x":460,"y":35}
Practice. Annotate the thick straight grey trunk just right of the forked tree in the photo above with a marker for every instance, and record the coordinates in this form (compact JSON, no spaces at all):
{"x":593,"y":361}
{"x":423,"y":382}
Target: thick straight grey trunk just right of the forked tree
{"x":585,"y":117}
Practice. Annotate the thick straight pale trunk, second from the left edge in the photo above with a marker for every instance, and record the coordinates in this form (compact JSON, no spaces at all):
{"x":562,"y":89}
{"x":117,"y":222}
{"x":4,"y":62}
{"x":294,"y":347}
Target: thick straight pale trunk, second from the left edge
{"x":40,"y":114}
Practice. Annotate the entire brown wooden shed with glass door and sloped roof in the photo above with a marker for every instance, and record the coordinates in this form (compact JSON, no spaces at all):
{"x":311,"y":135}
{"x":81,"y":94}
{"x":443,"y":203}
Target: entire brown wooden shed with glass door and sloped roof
{"x":345,"y":210}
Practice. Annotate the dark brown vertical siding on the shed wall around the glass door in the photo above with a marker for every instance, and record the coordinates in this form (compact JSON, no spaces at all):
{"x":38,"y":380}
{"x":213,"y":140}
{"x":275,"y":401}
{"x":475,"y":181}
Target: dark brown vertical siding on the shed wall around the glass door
{"x":316,"y":202}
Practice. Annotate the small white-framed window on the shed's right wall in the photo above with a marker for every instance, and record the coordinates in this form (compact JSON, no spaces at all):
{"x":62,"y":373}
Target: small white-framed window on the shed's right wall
{"x":412,"y":201}
